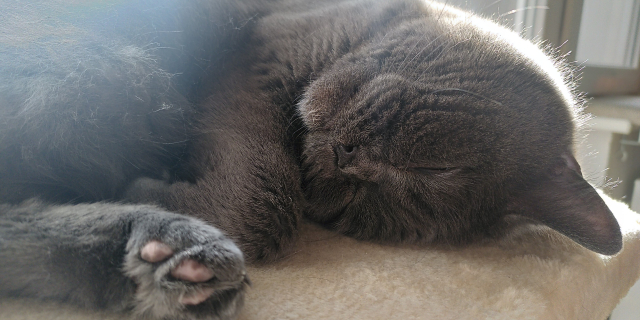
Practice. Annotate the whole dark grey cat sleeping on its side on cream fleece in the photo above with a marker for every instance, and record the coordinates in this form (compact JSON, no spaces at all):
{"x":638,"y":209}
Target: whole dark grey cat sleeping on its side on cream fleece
{"x":148,"y":148}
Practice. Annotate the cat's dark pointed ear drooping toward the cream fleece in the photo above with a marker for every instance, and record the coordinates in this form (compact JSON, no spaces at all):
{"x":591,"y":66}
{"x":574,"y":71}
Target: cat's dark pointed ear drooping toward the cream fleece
{"x":568,"y":204}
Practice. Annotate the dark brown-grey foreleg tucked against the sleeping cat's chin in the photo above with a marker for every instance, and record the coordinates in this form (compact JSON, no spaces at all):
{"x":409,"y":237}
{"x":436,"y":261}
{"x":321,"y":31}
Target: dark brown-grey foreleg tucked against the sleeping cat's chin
{"x":247,"y":178}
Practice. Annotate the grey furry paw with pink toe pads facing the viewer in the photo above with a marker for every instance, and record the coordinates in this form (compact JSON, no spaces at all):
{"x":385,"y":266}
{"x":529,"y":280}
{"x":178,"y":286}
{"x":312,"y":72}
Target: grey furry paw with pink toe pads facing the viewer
{"x":184,"y":269}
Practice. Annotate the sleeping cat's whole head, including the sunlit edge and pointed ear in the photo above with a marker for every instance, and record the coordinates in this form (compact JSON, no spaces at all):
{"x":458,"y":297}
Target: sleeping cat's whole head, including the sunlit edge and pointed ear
{"x":441,"y":147}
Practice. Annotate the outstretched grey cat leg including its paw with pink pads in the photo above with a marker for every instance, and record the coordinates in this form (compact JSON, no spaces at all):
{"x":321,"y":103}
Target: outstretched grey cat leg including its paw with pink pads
{"x":119,"y":257}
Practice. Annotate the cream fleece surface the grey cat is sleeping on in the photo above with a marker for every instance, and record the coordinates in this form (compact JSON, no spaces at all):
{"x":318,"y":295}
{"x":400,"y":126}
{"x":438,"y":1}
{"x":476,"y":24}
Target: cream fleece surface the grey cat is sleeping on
{"x":534,"y":273}
